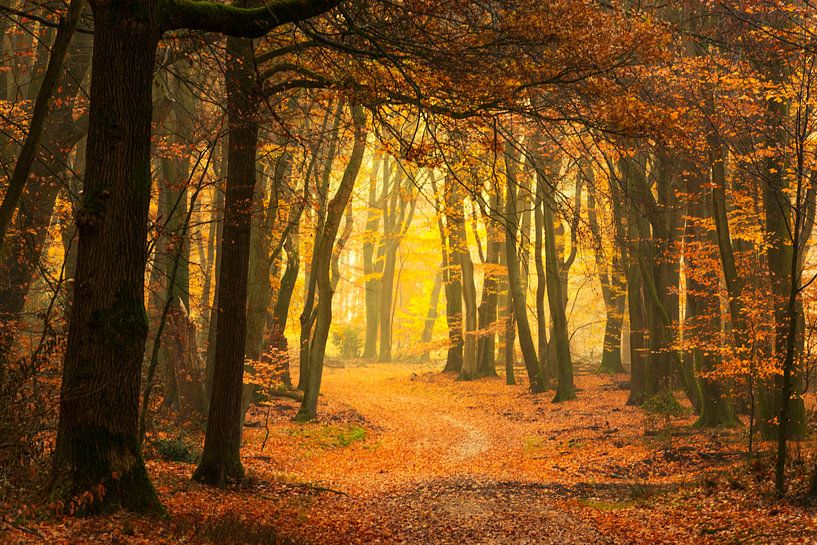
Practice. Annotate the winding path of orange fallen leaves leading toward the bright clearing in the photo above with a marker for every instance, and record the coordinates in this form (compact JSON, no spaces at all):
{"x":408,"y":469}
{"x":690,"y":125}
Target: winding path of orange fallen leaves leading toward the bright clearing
{"x":443,"y":461}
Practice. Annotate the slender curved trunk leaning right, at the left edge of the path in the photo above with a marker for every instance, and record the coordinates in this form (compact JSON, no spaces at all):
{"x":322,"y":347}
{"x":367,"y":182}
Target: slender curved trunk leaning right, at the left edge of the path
{"x":324,"y":249}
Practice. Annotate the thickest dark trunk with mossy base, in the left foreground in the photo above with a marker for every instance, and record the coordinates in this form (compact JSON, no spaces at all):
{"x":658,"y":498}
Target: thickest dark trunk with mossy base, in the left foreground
{"x":97,"y":439}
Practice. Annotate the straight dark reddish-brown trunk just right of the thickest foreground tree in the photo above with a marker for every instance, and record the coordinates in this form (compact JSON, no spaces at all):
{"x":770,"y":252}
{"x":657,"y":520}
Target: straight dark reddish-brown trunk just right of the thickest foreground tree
{"x":221,"y":461}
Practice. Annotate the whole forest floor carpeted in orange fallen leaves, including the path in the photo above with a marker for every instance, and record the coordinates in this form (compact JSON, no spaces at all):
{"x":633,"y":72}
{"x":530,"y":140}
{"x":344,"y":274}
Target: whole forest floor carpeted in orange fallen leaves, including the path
{"x":403,"y":454}
